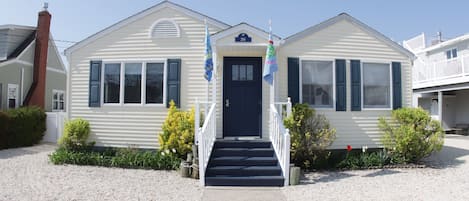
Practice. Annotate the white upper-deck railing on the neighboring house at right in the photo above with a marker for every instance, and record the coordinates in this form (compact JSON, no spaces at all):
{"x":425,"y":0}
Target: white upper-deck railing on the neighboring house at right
{"x":425,"y":72}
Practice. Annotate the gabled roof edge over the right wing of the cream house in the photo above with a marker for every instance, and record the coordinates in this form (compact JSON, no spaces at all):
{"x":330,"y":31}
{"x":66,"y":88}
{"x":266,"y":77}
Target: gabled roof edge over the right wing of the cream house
{"x":363,"y":26}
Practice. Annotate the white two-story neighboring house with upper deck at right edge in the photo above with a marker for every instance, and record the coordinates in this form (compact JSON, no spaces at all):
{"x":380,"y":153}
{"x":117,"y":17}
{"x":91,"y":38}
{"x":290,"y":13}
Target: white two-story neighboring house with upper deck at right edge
{"x":440,"y":79}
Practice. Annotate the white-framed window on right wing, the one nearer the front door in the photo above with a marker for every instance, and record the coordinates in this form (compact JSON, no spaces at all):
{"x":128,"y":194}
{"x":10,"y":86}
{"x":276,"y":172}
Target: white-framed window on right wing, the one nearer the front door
{"x":317,"y":83}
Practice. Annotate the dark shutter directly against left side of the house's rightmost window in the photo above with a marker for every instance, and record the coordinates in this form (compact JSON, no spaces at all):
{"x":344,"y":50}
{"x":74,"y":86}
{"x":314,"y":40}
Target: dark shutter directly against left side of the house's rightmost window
{"x":356,"y":85}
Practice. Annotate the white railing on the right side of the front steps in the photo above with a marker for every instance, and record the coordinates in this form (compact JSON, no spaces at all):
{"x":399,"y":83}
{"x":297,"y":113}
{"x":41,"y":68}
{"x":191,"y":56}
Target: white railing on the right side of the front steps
{"x":280,"y":136}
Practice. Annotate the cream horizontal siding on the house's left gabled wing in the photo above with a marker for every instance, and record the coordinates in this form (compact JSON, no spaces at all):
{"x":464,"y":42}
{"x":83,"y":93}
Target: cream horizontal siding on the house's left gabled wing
{"x":138,"y":125}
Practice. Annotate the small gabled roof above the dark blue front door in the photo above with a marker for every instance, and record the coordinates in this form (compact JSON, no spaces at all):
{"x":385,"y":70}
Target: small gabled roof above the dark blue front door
{"x":243,"y":26}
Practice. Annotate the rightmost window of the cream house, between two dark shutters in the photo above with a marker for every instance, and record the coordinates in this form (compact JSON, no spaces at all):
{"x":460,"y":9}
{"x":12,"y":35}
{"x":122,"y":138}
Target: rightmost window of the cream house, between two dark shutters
{"x":376,"y":85}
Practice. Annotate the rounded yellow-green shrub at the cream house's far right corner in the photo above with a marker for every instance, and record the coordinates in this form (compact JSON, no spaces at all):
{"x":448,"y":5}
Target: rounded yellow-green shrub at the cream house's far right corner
{"x":411,"y":134}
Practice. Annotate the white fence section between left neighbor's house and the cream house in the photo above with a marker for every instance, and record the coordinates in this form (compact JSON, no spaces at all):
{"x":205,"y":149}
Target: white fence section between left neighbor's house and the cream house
{"x":55,"y":123}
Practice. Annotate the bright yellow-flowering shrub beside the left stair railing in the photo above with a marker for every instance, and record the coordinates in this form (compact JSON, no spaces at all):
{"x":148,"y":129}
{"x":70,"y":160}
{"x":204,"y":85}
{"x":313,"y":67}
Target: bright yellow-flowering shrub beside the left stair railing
{"x":178,"y":131}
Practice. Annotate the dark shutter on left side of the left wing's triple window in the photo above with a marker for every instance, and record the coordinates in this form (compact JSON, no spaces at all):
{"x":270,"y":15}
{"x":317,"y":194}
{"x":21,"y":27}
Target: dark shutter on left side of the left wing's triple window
{"x":94,"y":99}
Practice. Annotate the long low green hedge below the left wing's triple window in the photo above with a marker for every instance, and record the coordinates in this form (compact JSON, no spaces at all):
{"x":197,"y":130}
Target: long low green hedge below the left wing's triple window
{"x":117,"y":157}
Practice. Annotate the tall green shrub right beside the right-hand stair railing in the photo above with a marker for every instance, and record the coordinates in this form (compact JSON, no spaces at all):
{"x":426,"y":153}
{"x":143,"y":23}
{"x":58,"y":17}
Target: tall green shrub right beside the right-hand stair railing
{"x":311,"y":134}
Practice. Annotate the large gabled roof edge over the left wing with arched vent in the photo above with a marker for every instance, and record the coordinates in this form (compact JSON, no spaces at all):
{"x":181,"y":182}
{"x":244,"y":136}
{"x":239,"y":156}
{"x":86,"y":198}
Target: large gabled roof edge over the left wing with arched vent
{"x":133,"y":18}
